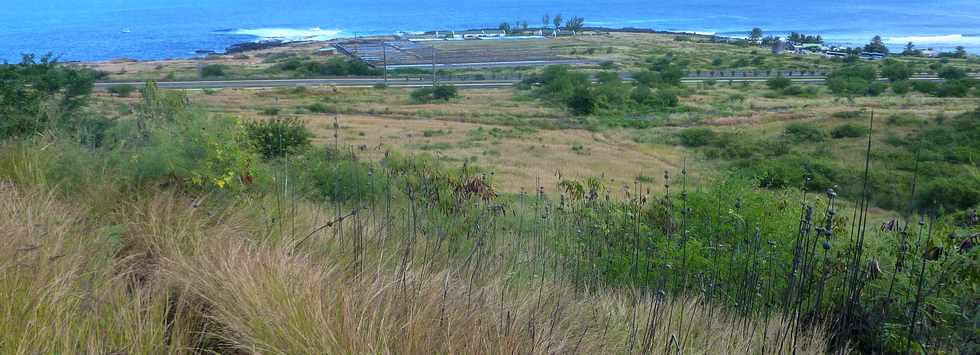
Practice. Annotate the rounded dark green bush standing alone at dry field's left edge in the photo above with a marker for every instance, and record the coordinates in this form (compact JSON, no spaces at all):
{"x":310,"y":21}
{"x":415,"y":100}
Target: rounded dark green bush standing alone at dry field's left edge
{"x":278,"y":137}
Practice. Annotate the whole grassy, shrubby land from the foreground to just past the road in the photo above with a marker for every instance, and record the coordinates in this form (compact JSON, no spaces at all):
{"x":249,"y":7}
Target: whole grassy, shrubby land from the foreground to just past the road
{"x":669,"y":219}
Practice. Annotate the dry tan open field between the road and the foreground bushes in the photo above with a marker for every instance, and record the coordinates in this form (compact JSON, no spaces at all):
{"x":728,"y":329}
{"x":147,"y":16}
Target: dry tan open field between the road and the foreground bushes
{"x":525,"y":141}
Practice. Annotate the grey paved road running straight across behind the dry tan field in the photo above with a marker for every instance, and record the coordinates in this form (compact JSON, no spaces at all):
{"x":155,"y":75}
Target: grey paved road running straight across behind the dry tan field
{"x":410,"y":83}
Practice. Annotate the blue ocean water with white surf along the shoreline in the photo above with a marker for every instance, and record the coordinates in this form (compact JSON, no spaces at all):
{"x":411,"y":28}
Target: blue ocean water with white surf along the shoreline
{"x":156,"y":29}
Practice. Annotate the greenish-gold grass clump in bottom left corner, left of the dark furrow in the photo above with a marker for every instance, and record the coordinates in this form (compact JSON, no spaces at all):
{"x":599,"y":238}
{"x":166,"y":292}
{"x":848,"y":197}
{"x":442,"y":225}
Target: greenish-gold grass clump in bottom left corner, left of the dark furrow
{"x":62,"y":292}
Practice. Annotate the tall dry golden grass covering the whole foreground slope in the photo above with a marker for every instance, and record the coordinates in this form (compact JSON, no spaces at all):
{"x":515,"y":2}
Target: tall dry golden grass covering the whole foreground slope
{"x":185,"y":277}
